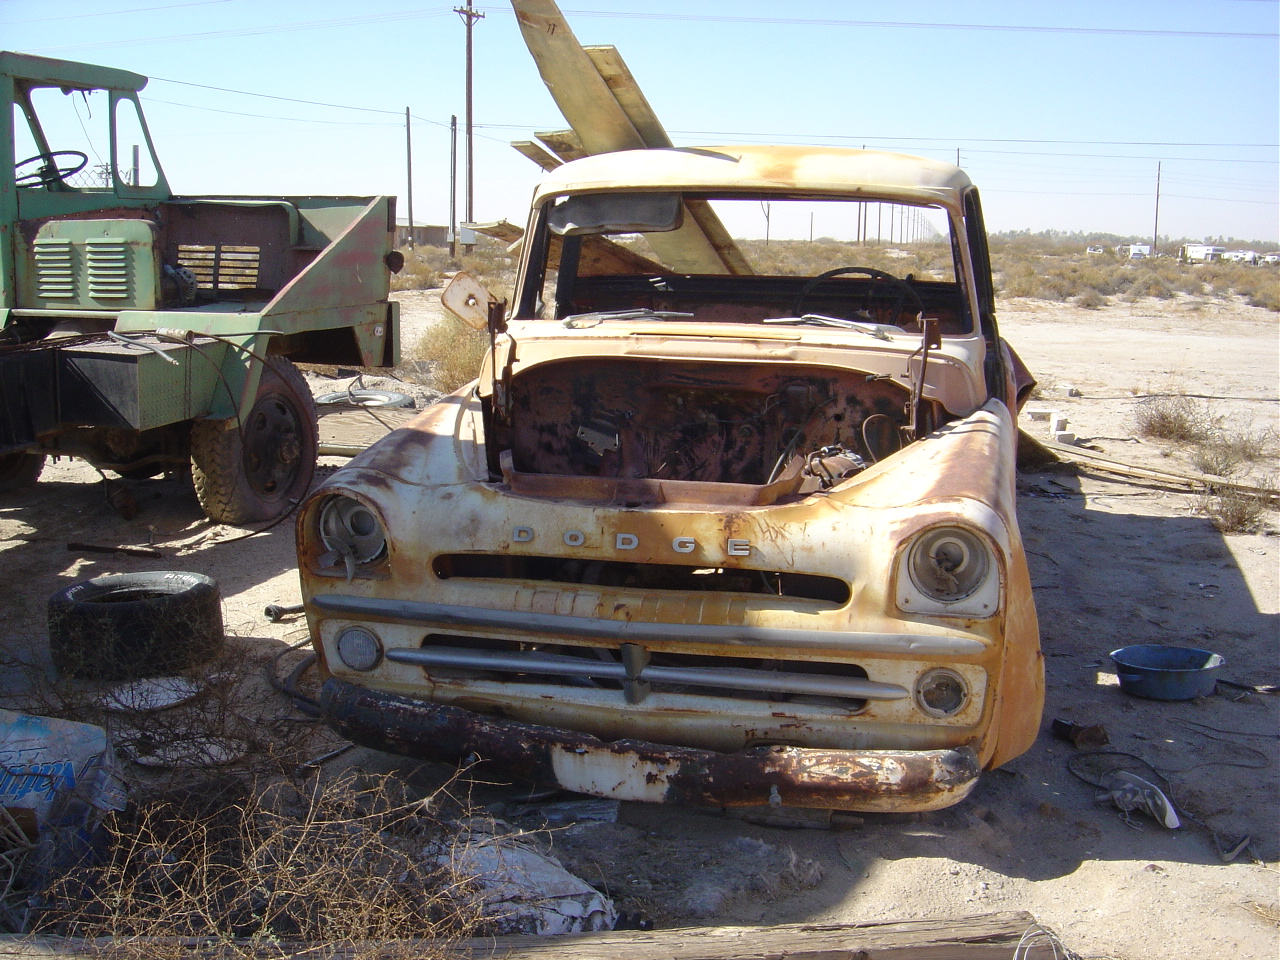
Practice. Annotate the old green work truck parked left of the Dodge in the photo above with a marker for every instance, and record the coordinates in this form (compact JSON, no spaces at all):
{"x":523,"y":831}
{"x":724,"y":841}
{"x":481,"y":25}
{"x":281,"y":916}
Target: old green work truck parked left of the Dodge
{"x":147,"y":332}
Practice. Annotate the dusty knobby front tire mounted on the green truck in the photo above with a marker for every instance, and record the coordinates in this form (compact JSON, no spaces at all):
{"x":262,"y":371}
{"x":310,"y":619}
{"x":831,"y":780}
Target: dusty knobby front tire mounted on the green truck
{"x":258,"y":474}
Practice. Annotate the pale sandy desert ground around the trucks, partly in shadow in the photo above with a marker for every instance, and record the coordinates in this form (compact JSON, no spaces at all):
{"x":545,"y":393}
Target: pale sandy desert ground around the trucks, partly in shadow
{"x":1113,"y":563}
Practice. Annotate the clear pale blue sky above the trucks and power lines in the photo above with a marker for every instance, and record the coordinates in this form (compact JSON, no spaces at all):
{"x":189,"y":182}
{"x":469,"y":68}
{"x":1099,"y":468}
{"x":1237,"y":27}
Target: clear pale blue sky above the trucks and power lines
{"x":1059,"y":112}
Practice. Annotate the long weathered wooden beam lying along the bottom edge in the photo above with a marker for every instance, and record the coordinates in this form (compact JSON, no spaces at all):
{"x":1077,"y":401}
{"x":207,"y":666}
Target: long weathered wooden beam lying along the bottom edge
{"x":989,"y":938}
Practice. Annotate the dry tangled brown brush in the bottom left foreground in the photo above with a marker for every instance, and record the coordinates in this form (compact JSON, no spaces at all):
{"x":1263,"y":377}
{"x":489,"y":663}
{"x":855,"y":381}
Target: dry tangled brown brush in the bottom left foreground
{"x":337,"y":863}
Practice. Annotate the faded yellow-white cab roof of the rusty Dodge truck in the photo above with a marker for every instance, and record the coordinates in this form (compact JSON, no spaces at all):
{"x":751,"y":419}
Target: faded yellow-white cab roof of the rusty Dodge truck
{"x":779,"y":170}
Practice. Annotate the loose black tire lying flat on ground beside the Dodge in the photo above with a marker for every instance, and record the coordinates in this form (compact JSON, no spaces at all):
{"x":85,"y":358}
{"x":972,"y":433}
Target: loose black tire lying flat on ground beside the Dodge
{"x":135,"y":625}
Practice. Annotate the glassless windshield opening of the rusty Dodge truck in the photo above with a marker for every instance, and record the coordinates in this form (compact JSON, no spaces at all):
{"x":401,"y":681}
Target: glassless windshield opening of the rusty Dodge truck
{"x":747,"y":260}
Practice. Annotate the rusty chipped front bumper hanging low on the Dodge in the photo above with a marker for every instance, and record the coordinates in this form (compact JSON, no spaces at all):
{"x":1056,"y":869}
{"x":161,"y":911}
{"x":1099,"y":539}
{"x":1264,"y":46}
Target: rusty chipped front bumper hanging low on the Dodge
{"x":886,"y":781}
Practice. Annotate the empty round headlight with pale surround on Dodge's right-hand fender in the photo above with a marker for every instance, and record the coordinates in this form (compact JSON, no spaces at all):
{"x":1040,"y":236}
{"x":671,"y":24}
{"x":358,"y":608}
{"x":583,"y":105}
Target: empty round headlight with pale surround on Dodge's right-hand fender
{"x":949,"y":570}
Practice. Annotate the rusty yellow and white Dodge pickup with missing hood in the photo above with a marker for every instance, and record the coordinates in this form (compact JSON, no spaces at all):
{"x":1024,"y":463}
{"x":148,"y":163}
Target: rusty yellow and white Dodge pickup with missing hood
{"x":723,"y":523}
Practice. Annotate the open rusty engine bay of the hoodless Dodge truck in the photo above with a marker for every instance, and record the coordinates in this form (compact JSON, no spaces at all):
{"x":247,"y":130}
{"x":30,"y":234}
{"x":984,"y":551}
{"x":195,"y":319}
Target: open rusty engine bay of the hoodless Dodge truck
{"x":711,"y":423}
